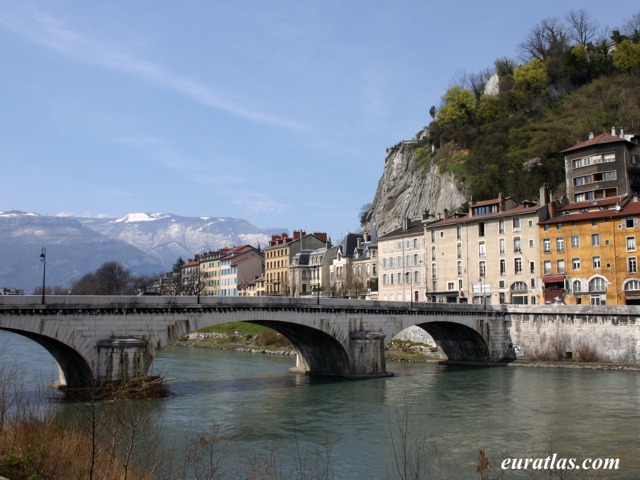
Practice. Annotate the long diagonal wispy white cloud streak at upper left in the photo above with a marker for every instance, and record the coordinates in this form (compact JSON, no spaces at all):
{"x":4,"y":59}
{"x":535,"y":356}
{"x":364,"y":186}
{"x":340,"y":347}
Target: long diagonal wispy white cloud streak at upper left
{"x":50,"y":32}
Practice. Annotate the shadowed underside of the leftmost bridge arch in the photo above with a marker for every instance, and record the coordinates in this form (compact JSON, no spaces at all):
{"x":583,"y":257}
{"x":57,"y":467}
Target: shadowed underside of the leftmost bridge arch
{"x":74,"y":369}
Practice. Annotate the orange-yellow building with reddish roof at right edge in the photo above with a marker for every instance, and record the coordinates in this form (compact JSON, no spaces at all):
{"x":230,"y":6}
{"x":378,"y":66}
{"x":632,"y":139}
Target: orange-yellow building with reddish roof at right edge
{"x":588,"y":253}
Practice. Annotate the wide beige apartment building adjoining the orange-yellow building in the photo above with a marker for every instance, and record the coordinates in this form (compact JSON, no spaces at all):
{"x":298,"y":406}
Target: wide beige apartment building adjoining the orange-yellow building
{"x":489,"y":254}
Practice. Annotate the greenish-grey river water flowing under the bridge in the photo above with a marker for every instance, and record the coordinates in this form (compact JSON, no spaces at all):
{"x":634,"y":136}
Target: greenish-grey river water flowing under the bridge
{"x":263,"y":412}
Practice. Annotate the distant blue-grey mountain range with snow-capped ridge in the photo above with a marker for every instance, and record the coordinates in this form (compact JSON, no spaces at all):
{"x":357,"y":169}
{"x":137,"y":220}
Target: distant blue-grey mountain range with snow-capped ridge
{"x":144,"y":243}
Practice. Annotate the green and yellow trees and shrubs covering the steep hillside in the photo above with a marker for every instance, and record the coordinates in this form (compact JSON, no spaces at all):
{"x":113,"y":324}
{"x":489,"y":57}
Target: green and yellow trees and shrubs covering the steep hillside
{"x":504,"y":129}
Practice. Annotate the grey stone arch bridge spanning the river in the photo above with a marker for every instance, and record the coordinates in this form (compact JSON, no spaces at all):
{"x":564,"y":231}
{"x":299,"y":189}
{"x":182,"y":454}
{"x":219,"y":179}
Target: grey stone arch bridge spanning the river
{"x":96,"y":340}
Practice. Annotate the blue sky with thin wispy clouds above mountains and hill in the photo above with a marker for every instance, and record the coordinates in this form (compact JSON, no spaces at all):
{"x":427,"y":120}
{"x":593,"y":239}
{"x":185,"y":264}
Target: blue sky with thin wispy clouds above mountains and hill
{"x":278,"y":112}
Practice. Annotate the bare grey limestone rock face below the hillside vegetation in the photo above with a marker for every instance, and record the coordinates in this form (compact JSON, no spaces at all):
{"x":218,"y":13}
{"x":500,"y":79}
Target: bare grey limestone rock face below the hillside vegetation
{"x":406,"y":190}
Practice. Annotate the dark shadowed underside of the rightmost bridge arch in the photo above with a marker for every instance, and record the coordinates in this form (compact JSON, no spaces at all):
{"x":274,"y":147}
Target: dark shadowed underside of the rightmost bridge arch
{"x":459,"y":342}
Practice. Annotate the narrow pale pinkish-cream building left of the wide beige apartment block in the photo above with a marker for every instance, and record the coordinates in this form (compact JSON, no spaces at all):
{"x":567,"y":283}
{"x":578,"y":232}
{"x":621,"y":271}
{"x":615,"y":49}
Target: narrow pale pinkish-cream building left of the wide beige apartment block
{"x":401,"y":272}
